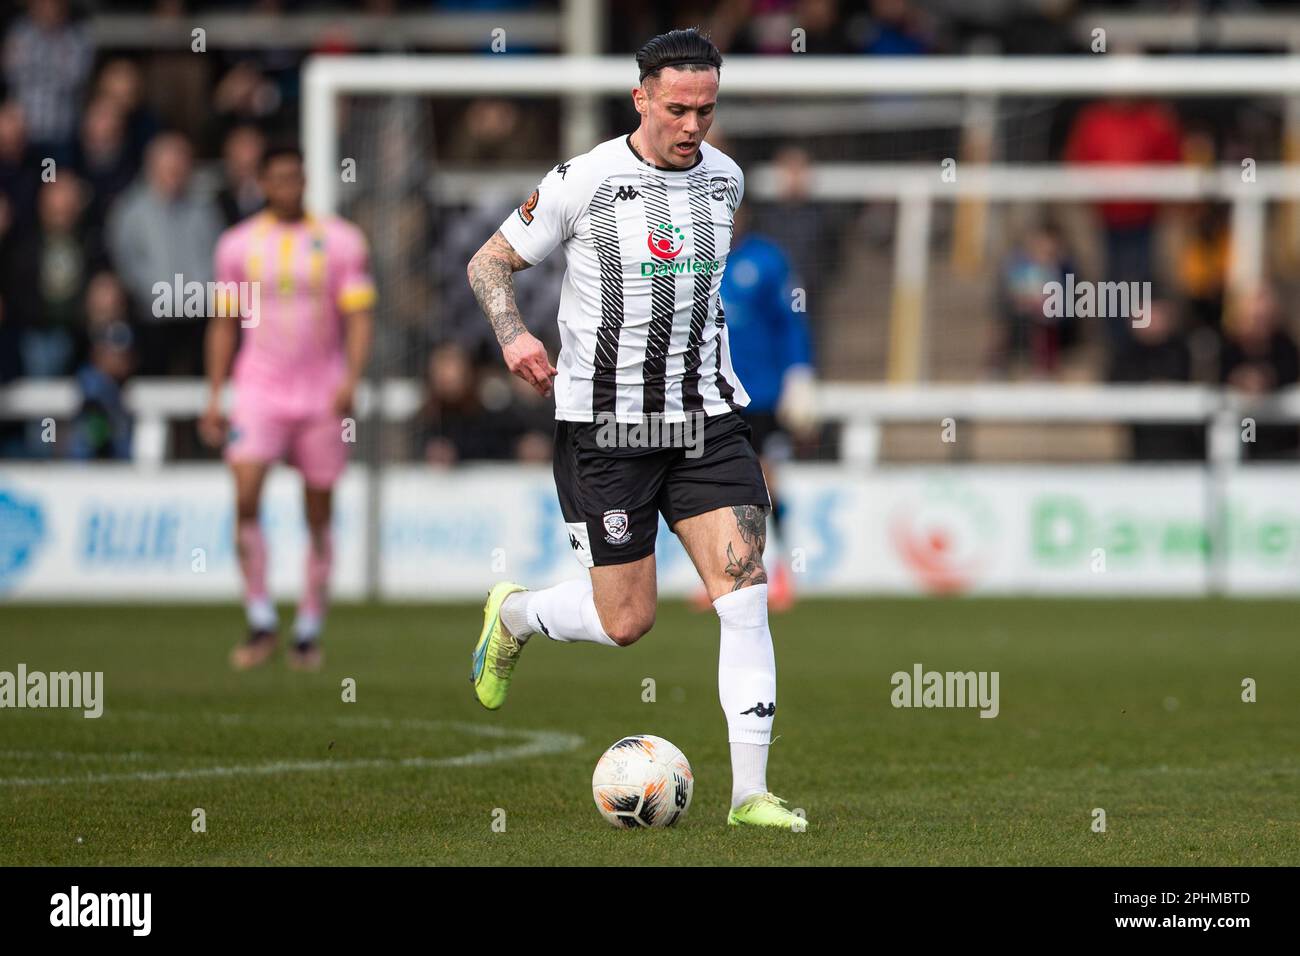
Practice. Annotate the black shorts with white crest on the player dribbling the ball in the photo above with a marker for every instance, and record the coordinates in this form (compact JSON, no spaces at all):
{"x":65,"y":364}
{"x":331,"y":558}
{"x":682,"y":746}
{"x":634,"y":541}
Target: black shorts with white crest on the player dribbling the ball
{"x":614,"y":483}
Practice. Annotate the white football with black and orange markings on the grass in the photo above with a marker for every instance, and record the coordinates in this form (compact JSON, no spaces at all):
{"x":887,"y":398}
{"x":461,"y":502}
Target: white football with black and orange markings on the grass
{"x":643,"y":781}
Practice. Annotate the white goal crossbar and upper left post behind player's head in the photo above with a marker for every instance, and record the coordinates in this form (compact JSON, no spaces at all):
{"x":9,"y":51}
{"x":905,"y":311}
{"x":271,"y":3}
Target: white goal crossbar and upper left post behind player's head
{"x":326,"y":79}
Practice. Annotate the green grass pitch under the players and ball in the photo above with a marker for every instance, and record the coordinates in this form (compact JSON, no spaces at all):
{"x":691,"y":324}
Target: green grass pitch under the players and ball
{"x":1132,"y":707}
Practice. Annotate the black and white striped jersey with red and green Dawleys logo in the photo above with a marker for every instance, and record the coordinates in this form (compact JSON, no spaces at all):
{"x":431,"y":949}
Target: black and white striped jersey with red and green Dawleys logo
{"x":643,"y":328}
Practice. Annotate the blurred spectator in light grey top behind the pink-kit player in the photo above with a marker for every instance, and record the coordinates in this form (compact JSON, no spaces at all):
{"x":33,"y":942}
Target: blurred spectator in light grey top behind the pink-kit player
{"x":159,"y":231}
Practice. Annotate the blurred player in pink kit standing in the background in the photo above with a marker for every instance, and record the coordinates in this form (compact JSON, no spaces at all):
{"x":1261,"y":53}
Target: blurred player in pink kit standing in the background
{"x":305,"y":308}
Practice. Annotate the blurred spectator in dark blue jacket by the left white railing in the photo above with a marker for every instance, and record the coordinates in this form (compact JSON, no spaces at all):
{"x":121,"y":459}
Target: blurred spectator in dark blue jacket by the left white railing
{"x":103,"y":426}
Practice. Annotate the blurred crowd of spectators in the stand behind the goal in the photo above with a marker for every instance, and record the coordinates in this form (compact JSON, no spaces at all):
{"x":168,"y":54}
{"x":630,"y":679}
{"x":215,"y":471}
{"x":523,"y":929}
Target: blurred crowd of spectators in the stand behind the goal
{"x":120,"y":170}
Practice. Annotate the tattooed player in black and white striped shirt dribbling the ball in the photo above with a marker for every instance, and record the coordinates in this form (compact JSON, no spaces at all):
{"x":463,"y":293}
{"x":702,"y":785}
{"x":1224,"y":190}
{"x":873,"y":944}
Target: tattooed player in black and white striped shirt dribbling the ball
{"x":647,"y":226}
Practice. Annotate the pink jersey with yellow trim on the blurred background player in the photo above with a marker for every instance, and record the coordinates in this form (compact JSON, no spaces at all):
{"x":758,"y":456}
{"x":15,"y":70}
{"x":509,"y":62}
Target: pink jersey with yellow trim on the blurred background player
{"x":309,"y":276}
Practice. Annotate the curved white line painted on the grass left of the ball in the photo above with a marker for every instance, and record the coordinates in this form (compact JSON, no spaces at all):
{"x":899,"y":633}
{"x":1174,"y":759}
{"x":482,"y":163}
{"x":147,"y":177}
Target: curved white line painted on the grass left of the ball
{"x":538,"y":743}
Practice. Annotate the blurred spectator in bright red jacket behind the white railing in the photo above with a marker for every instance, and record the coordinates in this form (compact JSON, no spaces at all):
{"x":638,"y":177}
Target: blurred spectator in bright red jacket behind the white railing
{"x":1125,"y":131}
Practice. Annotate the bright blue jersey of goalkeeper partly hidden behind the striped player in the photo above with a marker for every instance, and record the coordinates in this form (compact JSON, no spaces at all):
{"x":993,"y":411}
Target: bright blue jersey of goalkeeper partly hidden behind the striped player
{"x":768,"y":336}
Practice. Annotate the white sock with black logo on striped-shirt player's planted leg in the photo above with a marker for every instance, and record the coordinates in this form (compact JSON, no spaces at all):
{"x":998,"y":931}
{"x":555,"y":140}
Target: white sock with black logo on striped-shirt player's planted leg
{"x":747,"y":686}
